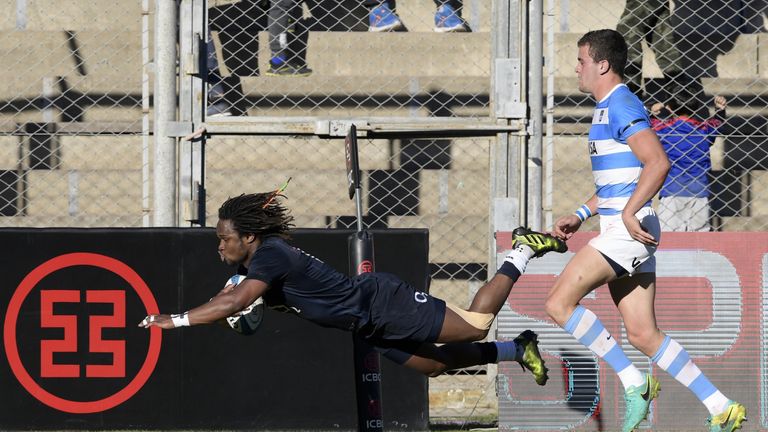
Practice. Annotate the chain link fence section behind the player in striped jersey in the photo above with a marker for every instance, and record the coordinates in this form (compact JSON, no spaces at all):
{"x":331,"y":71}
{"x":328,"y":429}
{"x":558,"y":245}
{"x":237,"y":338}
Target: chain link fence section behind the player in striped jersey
{"x":682,"y":55}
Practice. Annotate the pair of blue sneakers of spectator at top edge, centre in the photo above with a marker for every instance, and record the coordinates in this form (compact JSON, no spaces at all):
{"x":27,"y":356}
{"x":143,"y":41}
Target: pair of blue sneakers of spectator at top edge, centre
{"x":382,"y":16}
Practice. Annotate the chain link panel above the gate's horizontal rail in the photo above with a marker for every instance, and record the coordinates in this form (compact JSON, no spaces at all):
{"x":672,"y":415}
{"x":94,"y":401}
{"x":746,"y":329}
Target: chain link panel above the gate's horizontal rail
{"x":338,"y":67}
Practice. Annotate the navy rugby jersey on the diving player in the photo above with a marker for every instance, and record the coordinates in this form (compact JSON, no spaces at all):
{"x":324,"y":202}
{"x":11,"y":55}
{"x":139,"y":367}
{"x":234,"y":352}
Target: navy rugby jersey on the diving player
{"x":302,"y":284}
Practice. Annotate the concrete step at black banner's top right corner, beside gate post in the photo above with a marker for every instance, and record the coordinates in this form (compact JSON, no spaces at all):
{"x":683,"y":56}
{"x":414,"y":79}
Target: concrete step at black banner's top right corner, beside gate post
{"x":452,"y":238}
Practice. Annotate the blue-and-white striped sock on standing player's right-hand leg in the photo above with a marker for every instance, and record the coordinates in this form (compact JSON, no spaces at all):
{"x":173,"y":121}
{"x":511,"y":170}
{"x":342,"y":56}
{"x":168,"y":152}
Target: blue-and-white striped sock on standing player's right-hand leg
{"x":674,"y":359}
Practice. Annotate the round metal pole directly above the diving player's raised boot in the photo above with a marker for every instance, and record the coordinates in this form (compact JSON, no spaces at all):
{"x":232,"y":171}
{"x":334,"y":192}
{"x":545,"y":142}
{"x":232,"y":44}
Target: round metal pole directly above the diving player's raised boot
{"x":535,"y":101}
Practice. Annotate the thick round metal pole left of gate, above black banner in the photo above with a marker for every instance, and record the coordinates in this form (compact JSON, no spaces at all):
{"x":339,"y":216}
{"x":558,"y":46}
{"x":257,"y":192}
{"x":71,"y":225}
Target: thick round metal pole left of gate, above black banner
{"x":164,"y":208}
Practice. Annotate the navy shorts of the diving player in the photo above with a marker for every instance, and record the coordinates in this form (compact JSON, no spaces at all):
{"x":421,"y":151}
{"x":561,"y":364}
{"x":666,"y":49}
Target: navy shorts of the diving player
{"x":402,"y":319}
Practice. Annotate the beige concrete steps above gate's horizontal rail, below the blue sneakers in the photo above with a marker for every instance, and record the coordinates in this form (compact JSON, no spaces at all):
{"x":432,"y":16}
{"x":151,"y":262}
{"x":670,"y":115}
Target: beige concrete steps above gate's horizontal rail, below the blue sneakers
{"x":380,"y":72}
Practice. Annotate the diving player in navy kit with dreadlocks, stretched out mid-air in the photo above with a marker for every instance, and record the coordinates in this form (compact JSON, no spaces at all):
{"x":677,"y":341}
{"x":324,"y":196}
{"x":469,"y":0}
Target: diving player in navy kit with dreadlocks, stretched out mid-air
{"x":402,"y":323}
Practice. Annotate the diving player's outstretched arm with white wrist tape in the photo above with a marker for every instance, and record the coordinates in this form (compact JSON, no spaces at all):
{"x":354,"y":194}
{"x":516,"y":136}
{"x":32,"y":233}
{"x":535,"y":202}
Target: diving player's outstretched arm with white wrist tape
{"x":223,"y":305}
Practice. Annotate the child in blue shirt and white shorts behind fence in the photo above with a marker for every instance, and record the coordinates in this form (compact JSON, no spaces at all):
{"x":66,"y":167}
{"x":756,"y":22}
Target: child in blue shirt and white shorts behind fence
{"x":686,"y":135}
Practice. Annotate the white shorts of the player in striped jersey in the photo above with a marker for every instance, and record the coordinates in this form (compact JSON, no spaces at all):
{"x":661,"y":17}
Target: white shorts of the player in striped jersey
{"x":615,"y":242}
